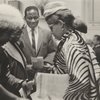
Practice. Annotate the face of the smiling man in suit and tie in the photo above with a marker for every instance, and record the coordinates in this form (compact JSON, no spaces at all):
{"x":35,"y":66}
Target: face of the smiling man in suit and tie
{"x":32,"y":18}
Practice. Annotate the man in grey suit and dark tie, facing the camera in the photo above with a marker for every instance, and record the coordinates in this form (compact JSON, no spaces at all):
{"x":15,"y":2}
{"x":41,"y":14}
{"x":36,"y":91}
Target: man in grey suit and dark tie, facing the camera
{"x":39,"y":47}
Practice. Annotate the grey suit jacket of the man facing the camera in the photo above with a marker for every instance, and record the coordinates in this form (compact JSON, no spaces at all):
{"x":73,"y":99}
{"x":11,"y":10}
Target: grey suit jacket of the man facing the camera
{"x":45,"y":47}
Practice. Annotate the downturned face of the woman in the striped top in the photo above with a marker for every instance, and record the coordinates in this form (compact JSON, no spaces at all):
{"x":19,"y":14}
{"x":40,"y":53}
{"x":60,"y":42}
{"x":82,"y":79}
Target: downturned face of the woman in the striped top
{"x":56,"y":27}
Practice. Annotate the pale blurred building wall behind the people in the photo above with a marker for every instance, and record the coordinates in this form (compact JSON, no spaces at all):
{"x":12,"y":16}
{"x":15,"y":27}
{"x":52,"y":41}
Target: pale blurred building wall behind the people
{"x":87,"y":10}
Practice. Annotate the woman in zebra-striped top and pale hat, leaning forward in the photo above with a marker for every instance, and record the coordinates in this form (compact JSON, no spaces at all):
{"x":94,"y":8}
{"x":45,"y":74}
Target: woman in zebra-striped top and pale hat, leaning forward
{"x":73,"y":56}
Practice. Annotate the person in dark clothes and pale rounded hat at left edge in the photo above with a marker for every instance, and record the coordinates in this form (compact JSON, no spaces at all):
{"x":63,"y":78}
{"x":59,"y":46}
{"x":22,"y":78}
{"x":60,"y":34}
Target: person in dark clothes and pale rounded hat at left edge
{"x":13,"y":75}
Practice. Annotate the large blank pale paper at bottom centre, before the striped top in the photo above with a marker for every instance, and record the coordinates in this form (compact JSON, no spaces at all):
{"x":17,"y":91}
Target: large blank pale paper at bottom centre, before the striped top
{"x":51,"y":85}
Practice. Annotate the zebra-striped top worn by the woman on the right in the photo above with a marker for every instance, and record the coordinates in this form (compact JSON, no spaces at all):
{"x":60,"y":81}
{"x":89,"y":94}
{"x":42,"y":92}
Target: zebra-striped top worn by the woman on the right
{"x":74,"y":59}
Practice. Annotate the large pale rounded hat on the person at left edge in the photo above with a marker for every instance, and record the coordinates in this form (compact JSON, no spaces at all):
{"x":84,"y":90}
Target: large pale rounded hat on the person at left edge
{"x":10,"y":18}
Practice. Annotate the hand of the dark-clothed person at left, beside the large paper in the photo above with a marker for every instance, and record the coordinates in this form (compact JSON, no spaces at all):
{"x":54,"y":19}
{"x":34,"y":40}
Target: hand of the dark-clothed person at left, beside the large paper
{"x":28,"y":87}
